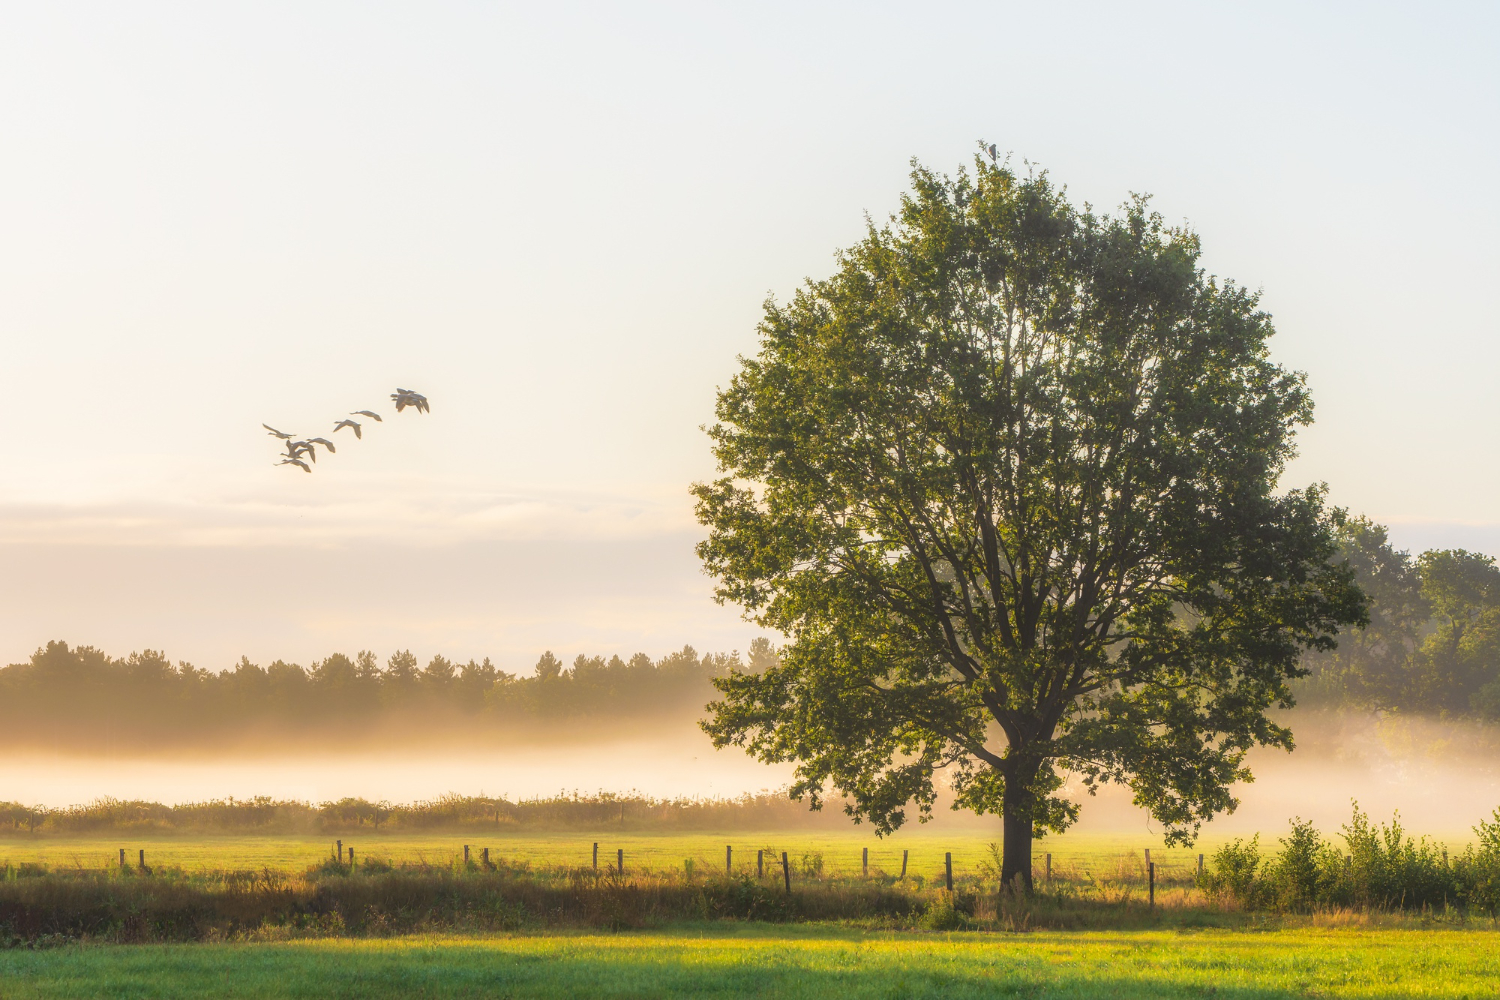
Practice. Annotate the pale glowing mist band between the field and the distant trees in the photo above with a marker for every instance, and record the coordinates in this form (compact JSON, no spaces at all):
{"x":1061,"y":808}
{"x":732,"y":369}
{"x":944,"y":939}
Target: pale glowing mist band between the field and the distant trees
{"x":1442,"y":777}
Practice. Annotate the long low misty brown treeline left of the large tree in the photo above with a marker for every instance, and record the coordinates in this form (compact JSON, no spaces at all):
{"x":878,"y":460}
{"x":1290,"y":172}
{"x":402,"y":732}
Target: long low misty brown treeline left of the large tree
{"x":82,"y":698}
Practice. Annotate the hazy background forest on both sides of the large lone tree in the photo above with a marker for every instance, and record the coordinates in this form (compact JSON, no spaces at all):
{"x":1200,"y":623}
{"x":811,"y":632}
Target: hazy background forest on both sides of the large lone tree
{"x":1432,"y":648}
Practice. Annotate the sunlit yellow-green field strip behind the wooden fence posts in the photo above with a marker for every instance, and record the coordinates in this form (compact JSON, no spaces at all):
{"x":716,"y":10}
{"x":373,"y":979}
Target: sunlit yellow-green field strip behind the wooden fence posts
{"x":1111,"y":857}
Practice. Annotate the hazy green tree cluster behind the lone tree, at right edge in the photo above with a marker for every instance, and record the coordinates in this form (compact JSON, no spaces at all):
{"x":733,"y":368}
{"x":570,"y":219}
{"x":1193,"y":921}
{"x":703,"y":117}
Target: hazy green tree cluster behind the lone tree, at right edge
{"x":1433,"y":642}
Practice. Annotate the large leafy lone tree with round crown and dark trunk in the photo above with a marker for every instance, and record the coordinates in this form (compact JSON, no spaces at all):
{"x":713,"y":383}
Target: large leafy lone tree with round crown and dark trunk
{"x":1009,"y":485}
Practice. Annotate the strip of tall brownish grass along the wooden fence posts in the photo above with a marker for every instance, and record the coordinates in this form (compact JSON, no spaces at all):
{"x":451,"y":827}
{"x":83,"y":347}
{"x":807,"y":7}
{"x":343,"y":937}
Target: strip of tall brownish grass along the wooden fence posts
{"x":376,"y":897}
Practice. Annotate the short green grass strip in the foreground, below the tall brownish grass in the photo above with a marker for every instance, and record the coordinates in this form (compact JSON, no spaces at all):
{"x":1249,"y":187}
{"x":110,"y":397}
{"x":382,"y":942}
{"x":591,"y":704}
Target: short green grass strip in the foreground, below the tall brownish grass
{"x":802,"y":962}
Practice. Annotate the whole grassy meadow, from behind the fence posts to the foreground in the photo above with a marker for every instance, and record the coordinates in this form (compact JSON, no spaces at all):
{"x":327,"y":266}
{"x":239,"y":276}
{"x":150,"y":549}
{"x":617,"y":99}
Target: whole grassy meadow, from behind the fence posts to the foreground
{"x":539,"y":924}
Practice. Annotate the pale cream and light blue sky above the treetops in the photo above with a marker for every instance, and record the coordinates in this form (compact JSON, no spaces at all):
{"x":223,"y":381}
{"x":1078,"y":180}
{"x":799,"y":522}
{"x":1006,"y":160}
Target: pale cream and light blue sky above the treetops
{"x":560,"y":223}
